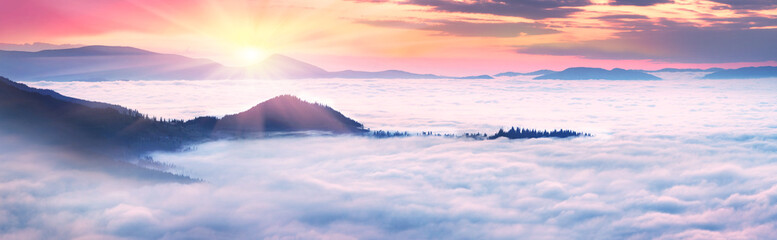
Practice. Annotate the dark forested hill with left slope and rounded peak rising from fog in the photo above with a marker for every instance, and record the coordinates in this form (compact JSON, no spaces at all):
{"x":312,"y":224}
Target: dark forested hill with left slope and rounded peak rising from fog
{"x":47,"y":117}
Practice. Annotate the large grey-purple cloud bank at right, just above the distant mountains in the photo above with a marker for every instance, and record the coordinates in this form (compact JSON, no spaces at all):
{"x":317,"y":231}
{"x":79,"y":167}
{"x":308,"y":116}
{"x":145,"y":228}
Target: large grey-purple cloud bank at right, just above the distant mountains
{"x":688,"y":45}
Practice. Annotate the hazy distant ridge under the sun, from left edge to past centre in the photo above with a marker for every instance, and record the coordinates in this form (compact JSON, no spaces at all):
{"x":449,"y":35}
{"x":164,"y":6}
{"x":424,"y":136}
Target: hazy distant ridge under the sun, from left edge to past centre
{"x":104,"y":63}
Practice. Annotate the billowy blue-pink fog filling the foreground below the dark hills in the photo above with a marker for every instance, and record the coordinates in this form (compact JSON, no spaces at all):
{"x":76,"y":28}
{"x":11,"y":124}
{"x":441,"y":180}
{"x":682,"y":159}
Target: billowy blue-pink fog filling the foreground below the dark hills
{"x":712,"y":187}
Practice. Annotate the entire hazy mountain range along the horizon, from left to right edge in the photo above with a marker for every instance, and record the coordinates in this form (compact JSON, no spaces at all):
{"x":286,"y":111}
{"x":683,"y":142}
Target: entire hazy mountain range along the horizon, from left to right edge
{"x":105,"y":63}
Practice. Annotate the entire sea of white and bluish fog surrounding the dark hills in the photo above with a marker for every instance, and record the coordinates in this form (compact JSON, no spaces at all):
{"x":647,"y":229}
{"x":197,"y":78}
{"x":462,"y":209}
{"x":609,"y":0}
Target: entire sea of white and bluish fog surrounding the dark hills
{"x":680,"y":158}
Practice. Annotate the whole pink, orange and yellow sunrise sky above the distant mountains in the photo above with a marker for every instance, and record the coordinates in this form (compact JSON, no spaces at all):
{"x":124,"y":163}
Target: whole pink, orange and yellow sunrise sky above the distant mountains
{"x":426,"y":36}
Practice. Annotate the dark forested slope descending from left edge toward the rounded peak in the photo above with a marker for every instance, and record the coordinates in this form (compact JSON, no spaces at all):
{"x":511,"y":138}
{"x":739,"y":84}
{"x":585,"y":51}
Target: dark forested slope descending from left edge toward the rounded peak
{"x":76,"y":126}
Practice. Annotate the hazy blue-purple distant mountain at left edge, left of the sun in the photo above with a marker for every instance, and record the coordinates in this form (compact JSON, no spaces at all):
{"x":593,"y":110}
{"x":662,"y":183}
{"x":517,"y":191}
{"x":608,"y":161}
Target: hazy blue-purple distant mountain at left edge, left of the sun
{"x":98,"y":63}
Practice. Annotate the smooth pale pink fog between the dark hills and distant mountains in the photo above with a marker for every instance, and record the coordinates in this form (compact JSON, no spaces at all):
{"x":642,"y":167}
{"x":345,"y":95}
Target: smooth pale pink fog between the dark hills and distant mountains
{"x":454,"y":105}
